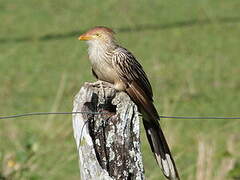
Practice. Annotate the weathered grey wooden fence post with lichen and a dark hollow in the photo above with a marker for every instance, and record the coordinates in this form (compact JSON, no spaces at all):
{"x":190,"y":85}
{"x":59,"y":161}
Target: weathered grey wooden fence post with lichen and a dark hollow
{"x":108,"y":142}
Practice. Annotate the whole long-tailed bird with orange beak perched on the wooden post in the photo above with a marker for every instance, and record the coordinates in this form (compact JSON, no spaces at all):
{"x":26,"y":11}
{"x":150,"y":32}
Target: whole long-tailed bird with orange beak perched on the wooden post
{"x":116,"y":65}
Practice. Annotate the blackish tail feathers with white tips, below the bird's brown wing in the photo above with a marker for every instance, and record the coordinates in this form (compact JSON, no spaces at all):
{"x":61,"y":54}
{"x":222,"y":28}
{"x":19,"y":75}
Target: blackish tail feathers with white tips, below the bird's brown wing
{"x":160,"y":148}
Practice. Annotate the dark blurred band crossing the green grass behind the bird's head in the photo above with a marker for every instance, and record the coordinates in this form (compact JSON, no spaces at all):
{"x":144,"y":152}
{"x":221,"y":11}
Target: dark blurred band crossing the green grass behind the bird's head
{"x":136,"y":28}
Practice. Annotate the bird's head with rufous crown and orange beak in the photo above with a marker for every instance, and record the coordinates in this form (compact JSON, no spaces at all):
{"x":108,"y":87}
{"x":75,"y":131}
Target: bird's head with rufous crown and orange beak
{"x":98,"y":34}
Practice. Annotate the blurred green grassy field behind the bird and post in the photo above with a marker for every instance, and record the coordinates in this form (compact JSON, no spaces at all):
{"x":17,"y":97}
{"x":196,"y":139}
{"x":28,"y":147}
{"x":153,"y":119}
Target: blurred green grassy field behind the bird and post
{"x":189,"y":49}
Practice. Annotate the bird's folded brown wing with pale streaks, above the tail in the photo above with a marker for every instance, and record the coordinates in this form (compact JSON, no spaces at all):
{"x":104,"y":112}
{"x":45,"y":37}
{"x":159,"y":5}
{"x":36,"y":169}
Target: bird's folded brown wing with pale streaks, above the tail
{"x":131,"y":72}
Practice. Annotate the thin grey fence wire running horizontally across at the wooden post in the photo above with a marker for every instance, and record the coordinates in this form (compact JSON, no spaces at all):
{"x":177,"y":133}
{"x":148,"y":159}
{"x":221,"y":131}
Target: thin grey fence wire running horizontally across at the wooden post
{"x":98,"y":113}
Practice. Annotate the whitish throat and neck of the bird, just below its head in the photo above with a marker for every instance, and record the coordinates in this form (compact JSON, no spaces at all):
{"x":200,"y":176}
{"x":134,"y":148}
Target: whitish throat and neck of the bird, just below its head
{"x":98,"y":50}
